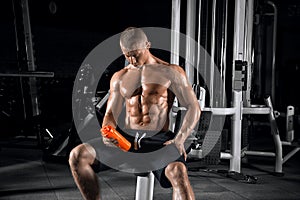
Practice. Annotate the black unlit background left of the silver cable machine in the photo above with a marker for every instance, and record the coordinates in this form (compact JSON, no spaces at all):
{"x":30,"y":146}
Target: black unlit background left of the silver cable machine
{"x":62,"y":39}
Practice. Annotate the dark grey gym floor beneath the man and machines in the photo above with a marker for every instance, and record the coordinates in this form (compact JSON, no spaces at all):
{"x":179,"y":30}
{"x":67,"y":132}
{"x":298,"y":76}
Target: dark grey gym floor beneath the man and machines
{"x":26,"y":175}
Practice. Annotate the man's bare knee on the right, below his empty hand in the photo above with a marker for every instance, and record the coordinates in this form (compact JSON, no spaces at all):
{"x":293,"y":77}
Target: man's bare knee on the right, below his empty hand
{"x":175,"y":171}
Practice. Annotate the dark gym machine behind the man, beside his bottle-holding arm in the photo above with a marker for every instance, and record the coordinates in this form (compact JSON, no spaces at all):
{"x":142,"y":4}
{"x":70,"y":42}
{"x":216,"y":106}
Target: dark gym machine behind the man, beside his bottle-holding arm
{"x":60,"y":146}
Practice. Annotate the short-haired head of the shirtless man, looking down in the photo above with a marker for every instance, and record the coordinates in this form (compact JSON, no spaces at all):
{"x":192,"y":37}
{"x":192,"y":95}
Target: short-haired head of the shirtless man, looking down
{"x":134,"y":44}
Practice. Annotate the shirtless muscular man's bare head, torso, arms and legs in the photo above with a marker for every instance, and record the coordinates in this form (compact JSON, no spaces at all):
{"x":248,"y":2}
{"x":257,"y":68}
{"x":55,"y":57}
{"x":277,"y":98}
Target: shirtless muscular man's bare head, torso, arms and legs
{"x":147,"y":86}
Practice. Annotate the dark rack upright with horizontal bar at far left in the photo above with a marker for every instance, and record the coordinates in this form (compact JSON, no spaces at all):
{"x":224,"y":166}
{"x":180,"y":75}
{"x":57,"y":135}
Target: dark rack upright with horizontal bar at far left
{"x":27,"y":73}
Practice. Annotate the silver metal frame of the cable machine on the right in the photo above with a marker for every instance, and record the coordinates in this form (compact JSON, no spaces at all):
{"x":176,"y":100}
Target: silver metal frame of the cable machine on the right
{"x":241,"y":102}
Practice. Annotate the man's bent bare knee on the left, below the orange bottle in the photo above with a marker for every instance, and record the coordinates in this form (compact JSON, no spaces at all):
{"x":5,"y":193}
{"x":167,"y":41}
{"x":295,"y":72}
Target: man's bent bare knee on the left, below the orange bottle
{"x":82,"y":154}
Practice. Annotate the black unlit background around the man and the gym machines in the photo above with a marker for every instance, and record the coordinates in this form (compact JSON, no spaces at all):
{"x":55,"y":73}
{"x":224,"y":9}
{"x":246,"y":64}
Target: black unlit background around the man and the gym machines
{"x":64,"y":37}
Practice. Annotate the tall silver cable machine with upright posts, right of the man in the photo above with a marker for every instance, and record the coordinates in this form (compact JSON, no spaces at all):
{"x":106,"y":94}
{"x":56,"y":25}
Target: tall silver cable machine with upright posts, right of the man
{"x":242,"y":67}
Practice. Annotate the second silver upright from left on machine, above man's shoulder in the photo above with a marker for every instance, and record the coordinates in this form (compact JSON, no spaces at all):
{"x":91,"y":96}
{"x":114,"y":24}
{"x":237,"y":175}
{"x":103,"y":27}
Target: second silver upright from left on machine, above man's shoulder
{"x":190,"y":37}
